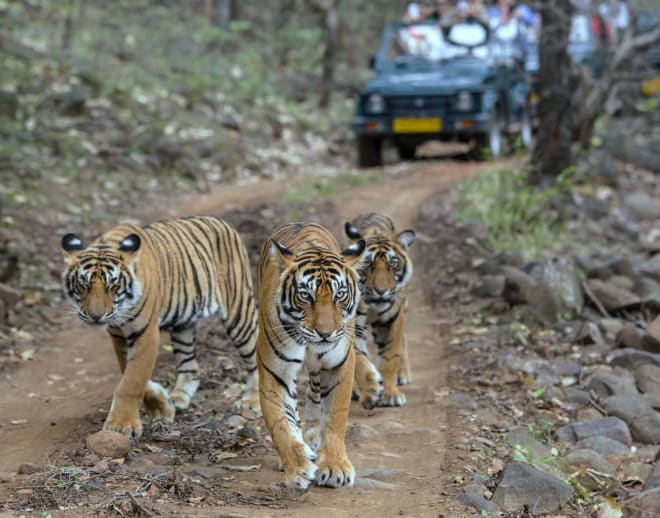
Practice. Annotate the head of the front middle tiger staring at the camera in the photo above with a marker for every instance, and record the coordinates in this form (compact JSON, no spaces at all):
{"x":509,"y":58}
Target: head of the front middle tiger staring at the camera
{"x":319,"y":292}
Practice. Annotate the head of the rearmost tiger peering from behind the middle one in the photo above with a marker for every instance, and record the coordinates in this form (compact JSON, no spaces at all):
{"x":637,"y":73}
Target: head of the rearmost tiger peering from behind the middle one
{"x":386,"y":267}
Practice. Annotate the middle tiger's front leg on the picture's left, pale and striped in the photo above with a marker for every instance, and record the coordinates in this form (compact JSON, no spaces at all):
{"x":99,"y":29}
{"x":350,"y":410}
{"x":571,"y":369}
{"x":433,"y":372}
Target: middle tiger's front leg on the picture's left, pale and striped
{"x":277,"y":395}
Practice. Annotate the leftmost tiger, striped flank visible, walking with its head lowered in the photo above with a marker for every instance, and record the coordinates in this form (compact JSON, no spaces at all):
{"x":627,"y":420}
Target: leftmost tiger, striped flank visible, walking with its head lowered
{"x":135,"y":281}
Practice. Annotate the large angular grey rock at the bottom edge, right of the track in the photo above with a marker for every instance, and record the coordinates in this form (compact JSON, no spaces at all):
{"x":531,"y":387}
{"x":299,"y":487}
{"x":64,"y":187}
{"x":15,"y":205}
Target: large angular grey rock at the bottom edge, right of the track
{"x":523,"y":485}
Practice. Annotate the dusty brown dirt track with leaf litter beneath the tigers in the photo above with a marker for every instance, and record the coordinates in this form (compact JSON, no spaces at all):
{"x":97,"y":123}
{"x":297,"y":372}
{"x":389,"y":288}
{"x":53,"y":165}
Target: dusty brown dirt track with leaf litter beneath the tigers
{"x":214,"y":463}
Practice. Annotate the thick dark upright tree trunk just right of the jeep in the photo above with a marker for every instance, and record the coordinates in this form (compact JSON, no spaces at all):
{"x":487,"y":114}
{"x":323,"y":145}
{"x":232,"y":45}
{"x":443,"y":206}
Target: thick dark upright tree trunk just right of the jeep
{"x":556,"y":82}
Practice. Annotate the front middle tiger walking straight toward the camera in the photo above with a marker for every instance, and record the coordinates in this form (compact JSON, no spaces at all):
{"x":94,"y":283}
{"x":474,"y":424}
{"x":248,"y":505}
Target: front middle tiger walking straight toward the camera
{"x":308,"y":295}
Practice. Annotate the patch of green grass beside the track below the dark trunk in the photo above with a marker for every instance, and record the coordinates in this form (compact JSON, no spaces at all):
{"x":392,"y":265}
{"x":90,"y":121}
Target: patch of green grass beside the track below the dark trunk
{"x":515,"y":215}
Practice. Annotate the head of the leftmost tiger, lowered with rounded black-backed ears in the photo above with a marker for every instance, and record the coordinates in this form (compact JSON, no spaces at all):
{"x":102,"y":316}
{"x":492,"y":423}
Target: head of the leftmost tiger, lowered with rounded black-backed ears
{"x":100,"y":280}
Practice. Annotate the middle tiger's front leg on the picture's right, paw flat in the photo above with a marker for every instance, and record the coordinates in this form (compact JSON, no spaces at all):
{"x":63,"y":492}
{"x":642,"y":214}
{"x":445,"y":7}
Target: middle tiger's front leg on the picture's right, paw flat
{"x":334,"y":467}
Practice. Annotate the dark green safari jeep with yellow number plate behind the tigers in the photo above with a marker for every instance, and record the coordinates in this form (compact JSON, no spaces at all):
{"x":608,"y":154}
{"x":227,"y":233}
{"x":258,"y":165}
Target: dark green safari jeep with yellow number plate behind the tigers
{"x":460,"y":83}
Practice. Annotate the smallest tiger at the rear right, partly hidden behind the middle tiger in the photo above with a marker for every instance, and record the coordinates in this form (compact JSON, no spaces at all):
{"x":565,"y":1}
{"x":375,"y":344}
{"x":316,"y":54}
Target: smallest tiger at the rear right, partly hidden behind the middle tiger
{"x":384,"y":274}
